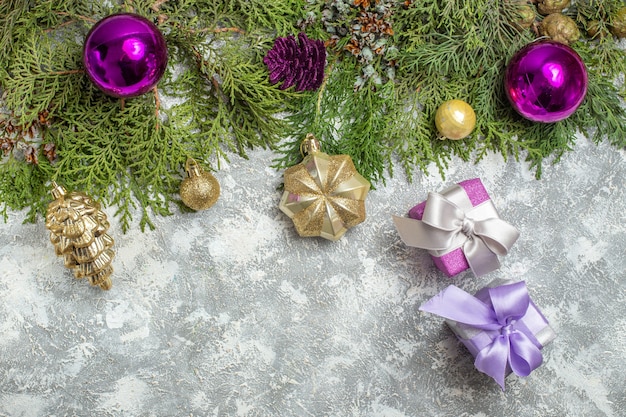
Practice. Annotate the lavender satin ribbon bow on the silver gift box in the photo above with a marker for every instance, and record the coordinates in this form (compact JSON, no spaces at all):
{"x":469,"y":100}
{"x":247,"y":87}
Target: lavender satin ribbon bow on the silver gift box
{"x":515,"y":346}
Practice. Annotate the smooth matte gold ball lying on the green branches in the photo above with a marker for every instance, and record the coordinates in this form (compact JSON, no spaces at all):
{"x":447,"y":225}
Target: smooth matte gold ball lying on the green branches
{"x":455,"y":119}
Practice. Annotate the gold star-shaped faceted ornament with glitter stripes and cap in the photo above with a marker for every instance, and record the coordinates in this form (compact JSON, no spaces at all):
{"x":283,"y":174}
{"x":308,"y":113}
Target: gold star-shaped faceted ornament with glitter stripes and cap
{"x":324,"y":195}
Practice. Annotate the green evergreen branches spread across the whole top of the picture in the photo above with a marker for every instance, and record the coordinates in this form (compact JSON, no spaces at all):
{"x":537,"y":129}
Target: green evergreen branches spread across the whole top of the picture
{"x":390,"y":64}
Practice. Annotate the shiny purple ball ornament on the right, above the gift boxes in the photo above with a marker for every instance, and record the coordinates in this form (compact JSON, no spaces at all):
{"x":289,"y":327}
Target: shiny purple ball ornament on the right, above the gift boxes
{"x":546,"y":81}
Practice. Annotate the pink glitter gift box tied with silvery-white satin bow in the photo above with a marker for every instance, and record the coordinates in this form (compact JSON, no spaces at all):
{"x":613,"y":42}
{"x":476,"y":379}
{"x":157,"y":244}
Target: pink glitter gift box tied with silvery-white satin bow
{"x":460,"y":228}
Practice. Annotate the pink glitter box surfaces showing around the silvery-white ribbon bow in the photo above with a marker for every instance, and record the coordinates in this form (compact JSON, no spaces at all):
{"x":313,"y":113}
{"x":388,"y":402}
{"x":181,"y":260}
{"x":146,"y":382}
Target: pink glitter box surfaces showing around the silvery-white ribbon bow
{"x":453,"y":261}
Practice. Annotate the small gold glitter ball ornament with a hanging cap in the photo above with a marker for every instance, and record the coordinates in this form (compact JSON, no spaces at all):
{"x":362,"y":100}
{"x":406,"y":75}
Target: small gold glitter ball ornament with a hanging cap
{"x":200,"y":190}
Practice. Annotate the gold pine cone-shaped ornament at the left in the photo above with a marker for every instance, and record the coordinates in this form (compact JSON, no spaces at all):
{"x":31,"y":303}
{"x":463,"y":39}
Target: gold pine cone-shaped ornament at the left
{"x":78,"y":231}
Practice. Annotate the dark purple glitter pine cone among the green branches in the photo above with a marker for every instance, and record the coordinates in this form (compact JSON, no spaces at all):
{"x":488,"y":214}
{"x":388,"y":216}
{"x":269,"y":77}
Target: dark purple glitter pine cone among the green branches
{"x":297,"y":63}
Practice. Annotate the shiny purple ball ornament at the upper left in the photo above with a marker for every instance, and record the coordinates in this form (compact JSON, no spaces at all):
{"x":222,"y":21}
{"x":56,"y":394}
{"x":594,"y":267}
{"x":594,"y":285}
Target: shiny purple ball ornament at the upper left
{"x":125,"y":55}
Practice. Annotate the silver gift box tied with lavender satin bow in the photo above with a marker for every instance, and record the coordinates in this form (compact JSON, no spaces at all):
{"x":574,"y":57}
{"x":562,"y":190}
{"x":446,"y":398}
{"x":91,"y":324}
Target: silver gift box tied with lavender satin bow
{"x":500,"y":325}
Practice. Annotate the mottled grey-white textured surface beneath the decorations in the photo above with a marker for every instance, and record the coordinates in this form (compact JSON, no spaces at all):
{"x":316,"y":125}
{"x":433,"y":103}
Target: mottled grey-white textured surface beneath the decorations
{"x":229,"y":313}
